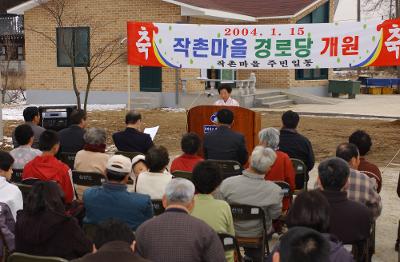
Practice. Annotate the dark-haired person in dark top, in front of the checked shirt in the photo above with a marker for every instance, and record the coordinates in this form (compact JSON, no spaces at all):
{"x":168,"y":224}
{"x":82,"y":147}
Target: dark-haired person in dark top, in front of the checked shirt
{"x":350,"y":221}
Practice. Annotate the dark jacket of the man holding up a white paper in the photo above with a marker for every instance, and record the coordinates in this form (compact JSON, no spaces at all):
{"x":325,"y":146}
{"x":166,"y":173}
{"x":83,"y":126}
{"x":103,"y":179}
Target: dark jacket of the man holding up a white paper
{"x":131,"y":140}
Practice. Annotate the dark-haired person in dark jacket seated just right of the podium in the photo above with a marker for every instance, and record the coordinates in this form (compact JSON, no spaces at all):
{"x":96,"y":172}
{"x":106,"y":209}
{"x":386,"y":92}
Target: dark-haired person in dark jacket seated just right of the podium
{"x":294,"y":144}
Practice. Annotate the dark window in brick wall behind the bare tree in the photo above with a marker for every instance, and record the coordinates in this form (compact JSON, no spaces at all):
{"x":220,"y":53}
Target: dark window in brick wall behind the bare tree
{"x":73,"y":46}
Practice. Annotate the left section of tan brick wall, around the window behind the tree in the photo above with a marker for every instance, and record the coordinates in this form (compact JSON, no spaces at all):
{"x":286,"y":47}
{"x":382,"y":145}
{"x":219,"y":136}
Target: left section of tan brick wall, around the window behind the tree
{"x":42,"y":70}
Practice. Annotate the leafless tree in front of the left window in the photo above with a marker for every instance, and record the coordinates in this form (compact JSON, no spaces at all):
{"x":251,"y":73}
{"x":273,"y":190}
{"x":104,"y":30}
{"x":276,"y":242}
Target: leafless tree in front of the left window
{"x":103,"y":54}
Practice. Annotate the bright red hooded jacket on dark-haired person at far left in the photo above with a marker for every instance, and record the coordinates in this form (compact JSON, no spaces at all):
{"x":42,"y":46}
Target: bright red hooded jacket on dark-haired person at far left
{"x":49,"y":168}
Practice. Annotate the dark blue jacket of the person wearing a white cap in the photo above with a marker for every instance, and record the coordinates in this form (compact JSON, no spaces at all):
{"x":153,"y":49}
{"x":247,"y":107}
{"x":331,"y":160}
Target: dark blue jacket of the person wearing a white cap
{"x":112,"y":200}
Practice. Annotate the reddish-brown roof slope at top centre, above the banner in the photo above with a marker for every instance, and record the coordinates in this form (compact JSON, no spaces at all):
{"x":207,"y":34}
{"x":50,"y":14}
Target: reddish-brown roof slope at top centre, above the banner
{"x":254,"y":8}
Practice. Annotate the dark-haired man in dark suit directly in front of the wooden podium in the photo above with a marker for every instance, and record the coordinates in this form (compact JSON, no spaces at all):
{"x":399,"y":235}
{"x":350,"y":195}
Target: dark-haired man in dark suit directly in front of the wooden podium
{"x":223,"y":143}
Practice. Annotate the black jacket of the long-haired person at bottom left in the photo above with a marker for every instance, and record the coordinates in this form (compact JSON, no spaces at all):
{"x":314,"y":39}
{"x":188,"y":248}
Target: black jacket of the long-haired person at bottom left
{"x":50,"y":234}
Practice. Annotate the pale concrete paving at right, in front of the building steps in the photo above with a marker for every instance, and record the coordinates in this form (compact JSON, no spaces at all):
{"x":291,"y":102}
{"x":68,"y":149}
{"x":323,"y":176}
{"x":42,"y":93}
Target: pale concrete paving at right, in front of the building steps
{"x":370,"y":106}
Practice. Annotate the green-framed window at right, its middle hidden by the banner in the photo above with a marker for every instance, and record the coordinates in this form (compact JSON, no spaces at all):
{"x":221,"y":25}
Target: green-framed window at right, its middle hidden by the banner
{"x":319,"y":15}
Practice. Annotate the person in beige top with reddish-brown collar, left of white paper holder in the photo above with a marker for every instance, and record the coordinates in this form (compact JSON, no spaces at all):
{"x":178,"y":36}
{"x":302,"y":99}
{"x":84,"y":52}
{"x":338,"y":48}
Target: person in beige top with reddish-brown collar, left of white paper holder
{"x":93,"y":157}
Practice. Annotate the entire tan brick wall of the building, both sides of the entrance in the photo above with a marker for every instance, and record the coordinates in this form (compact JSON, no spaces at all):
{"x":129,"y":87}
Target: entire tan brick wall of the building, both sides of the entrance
{"x":41,"y":65}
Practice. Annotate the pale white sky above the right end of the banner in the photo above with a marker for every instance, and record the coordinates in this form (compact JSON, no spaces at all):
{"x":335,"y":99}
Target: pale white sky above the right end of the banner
{"x":347,"y":10}
